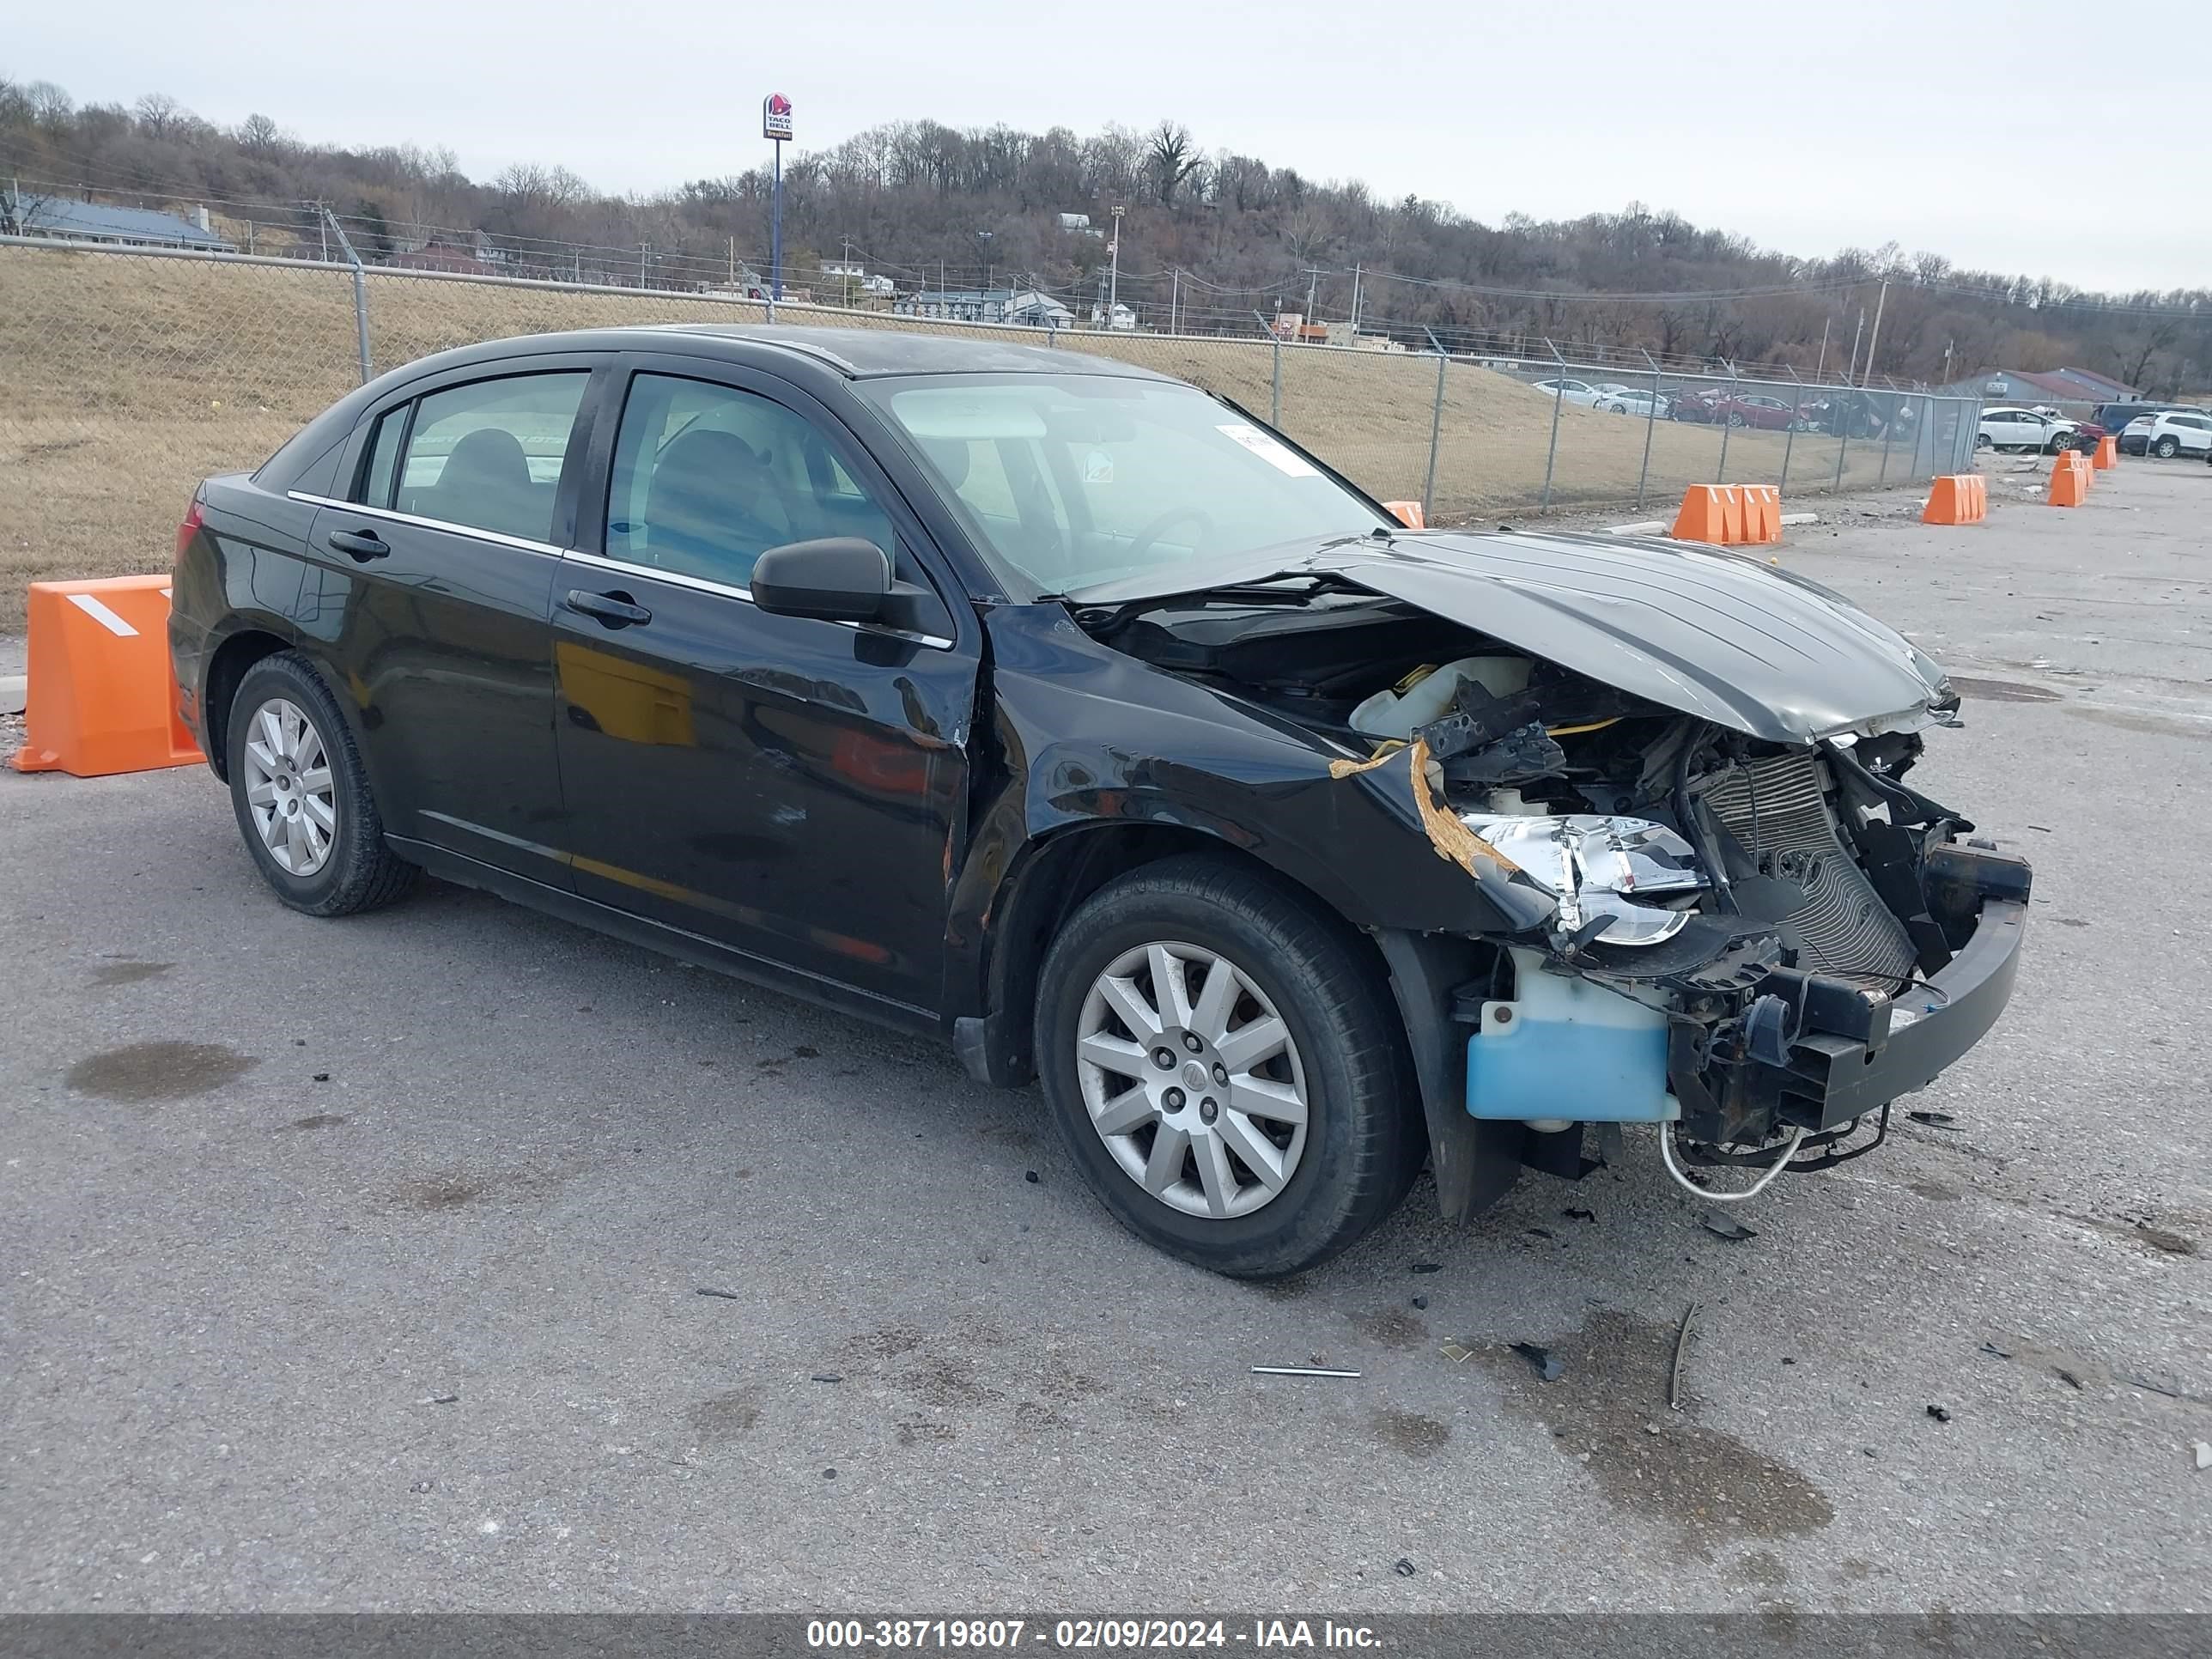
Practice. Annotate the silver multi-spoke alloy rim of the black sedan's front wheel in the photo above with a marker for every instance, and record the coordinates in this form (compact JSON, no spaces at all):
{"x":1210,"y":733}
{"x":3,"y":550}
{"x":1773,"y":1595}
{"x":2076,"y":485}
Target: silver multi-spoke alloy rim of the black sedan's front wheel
{"x":1193,"y":1081}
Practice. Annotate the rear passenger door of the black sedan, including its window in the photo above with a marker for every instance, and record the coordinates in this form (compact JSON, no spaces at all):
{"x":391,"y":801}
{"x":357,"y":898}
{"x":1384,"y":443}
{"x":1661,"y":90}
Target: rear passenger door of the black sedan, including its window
{"x":430,"y":594}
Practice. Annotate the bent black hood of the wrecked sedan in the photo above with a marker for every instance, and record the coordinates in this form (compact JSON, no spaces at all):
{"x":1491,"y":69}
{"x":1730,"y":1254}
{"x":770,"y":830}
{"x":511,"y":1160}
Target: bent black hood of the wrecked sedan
{"x":1722,"y":636}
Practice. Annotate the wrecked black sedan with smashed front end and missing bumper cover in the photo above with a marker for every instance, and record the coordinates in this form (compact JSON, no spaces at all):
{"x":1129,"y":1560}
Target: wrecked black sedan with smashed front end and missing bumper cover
{"x":1070,"y":713}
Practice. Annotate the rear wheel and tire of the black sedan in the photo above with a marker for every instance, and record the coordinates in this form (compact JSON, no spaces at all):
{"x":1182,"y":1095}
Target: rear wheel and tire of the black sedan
{"x":291,"y":755}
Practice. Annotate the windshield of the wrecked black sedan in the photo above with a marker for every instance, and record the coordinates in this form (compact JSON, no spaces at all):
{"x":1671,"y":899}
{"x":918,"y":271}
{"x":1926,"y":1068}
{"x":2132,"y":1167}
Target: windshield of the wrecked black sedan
{"x":1070,"y":481}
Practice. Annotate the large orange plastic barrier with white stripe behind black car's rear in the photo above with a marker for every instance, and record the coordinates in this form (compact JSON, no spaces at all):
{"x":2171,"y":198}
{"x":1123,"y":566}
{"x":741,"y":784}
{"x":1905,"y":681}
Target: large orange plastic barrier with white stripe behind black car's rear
{"x":101,"y":689}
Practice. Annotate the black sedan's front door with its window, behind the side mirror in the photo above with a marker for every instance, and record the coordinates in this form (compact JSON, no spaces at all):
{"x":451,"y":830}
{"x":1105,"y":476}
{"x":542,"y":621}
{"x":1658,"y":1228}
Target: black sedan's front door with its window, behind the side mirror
{"x":784,"y":786}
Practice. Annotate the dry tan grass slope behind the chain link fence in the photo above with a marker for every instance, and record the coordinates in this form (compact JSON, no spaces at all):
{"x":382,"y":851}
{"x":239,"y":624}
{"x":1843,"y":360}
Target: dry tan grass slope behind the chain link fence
{"x":125,"y":382}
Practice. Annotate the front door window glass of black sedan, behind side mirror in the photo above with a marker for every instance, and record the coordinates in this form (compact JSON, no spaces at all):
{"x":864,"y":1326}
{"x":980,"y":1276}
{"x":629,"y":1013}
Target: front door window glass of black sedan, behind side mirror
{"x":709,"y":477}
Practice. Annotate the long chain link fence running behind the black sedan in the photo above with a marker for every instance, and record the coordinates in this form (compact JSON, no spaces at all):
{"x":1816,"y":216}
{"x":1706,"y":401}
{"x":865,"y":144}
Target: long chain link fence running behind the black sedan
{"x":134,"y":373}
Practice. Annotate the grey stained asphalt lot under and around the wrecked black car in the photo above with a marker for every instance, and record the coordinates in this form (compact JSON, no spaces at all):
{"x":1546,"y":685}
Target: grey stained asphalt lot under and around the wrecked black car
{"x":273,"y":1189}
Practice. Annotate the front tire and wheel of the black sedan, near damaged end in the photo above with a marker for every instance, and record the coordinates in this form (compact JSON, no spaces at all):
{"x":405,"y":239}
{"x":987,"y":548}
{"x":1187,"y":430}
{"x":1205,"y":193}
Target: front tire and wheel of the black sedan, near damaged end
{"x":1361,"y":1142}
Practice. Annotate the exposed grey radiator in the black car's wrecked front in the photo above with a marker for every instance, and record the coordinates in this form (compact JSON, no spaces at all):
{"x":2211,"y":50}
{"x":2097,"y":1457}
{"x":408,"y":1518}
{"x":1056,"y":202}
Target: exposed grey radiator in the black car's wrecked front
{"x":1780,"y":811}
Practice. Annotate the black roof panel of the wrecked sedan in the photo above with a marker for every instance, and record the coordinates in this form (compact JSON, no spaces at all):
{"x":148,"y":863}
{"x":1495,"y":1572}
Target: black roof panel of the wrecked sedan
{"x":855,"y":353}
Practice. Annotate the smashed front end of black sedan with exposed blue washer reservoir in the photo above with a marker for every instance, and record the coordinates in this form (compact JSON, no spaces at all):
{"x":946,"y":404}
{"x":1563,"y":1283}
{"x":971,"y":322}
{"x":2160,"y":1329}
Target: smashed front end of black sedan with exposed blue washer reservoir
{"x":1722,"y":921}
